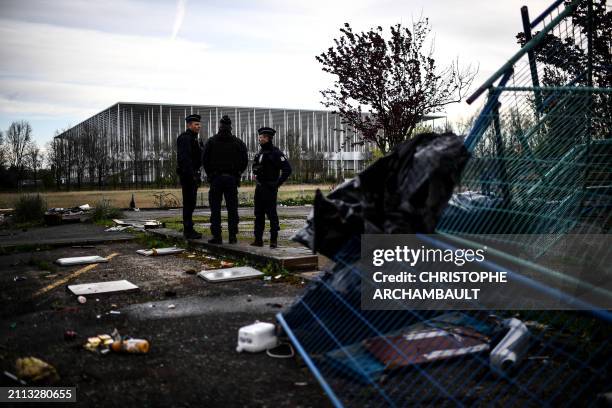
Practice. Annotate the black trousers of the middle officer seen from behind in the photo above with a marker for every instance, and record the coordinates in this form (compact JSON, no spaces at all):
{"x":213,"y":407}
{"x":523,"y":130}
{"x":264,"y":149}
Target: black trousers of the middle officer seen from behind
{"x":223,"y":186}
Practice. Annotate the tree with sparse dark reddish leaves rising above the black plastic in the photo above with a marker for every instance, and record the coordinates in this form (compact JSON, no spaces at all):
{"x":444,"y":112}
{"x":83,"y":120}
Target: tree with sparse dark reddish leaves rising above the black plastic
{"x":383,"y":88}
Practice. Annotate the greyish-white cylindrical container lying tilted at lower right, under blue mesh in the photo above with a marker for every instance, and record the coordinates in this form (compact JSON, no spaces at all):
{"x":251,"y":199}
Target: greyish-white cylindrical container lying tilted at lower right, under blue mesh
{"x":512,"y":348}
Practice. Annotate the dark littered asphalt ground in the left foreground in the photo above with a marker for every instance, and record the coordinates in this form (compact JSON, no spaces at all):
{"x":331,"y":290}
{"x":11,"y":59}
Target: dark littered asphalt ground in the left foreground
{"x":192,"y":361}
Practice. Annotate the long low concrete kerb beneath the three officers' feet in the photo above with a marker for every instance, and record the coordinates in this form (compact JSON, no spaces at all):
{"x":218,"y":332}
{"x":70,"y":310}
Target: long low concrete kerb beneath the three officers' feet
{"x":290,"y":258}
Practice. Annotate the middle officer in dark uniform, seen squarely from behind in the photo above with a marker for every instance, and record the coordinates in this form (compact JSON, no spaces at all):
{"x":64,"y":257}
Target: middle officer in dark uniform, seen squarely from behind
{"x":225,"y":158}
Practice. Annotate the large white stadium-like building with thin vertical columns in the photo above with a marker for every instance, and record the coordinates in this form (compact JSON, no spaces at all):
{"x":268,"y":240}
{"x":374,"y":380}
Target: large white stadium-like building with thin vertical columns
{"x":141,"y":138}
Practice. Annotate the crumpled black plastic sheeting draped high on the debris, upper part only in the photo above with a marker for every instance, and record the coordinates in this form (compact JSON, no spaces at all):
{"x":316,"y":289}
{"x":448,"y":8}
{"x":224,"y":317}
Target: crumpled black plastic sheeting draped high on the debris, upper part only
{"x":401,"y":193}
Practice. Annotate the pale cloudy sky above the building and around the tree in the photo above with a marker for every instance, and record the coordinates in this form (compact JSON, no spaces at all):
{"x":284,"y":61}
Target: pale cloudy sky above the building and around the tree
{"x":62,"y":61}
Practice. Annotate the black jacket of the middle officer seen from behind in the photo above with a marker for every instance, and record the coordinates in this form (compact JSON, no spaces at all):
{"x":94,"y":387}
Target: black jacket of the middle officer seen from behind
{"x":225,"y":153}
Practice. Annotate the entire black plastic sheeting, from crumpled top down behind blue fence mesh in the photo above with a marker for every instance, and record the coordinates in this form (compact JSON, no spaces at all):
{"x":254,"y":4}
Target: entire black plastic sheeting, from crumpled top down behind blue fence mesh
{"x":403,"y":192}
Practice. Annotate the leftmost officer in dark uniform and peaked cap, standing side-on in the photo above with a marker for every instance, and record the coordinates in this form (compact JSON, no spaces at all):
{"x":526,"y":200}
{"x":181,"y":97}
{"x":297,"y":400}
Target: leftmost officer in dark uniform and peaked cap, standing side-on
{"x":189,"y":160}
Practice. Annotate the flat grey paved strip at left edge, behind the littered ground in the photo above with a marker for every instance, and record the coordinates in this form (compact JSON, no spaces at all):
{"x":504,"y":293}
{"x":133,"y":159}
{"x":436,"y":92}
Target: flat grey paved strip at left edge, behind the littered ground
{"x":60,"y":235}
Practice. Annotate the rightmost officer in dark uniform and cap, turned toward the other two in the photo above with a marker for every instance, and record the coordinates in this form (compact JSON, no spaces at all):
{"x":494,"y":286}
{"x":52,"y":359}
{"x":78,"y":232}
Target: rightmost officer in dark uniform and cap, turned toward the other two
{"x":271,"y":169}
